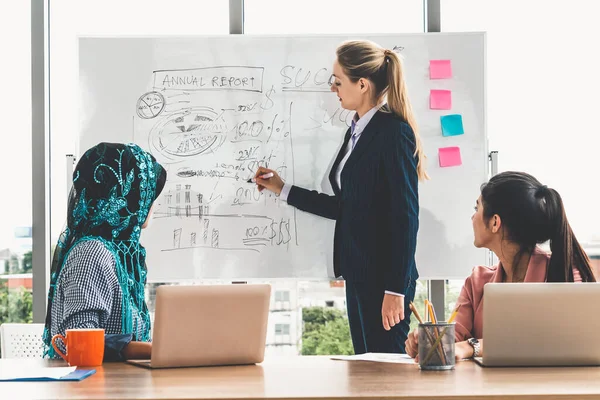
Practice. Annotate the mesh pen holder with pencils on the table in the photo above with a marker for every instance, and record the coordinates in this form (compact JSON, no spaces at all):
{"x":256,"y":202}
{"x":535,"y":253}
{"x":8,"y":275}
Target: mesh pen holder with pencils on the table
{"x":436,"y":346}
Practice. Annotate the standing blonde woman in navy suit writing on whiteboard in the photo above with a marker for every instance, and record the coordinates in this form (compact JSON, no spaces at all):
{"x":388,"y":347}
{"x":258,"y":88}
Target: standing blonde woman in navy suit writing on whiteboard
{"x":375,"y":203}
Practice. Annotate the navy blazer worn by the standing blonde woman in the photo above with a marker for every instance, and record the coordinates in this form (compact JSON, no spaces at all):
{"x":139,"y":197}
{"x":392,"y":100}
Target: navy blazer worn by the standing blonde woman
{"x":377,"y":208}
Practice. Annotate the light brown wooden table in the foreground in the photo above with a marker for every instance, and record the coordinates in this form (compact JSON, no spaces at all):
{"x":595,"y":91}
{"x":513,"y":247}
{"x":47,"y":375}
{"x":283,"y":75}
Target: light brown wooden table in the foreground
{"x":316,"y":378}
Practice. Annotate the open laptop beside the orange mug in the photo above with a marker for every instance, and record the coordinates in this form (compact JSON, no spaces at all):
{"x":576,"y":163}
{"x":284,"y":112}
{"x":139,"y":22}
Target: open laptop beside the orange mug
{"x":209,"y":325}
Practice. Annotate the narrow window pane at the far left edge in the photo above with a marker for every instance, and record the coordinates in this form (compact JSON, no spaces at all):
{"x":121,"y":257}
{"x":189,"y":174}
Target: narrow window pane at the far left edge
{"x":15,"y":164}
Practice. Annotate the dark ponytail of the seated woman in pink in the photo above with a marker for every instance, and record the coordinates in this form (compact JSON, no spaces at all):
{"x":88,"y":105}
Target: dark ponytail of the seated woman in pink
{"x":566,"y":250}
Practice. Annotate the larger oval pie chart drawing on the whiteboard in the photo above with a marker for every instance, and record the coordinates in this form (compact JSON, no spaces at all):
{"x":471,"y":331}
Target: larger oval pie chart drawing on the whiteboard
{"x":188,"y":133}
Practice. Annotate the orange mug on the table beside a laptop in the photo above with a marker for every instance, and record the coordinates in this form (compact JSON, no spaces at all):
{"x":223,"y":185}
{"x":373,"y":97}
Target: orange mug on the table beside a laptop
{"x":85,"y":347}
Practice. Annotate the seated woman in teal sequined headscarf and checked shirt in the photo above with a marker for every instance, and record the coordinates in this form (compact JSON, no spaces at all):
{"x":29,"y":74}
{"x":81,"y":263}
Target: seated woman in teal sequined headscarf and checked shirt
{"x":98,"y":271}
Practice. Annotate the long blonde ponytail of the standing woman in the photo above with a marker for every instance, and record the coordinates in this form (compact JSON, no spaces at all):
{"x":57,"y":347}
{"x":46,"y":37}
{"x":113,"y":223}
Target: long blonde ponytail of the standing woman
{"x":399,"y":104}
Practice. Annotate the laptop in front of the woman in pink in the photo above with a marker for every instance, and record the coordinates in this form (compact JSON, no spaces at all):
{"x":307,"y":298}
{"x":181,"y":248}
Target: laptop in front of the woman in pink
{"x":540,"y":324}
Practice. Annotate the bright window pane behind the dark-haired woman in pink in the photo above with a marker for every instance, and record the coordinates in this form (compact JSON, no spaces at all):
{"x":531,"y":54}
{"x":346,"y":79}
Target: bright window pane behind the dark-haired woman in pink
{"x":541,"y":98}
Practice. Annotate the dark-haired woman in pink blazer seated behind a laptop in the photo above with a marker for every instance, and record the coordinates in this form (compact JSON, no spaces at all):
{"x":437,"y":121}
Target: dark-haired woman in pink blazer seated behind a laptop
{"x":514,"y":214}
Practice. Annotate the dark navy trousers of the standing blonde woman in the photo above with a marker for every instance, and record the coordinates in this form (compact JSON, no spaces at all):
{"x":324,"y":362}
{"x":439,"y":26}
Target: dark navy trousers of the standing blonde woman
{"x":363,"y":301}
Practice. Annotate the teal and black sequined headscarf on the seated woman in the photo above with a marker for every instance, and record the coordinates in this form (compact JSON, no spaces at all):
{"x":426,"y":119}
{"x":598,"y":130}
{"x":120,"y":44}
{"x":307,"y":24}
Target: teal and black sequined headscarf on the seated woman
{"x":114,"y":186}
